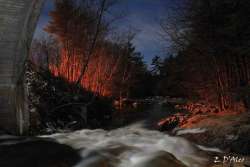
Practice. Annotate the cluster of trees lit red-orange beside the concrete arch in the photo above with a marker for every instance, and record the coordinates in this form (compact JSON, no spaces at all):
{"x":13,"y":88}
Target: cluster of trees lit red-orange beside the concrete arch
{"x":86,"y":56}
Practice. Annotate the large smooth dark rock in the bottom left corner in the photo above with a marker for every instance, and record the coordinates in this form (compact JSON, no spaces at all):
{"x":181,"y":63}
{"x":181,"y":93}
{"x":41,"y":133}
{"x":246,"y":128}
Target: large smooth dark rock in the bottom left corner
{"x":37,"y":153}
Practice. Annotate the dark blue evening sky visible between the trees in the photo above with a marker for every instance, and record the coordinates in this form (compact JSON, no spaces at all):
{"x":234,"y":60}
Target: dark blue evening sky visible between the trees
{"x":141,"y":15}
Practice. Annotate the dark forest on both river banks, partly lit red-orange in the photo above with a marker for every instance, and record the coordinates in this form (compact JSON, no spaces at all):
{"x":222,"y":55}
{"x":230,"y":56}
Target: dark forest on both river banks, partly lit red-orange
{"x":85,"y":66}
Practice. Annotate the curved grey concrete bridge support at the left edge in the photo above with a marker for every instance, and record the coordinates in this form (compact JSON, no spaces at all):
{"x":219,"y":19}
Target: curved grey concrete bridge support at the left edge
{"x":18,"y":19}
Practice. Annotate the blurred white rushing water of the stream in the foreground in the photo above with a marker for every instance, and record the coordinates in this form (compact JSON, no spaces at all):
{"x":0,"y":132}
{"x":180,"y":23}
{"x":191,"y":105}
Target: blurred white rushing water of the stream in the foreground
{"x":132,"y":146}
